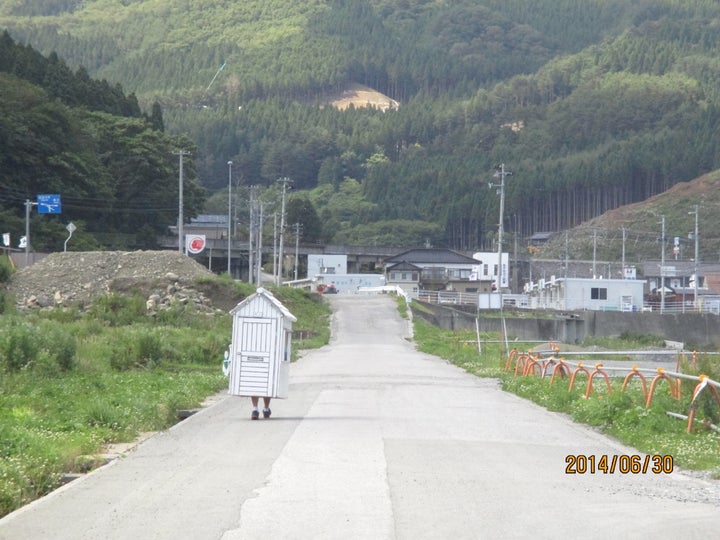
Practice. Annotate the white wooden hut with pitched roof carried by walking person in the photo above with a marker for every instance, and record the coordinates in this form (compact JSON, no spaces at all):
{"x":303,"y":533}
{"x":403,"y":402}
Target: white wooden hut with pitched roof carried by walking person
{"x":258,"y":360}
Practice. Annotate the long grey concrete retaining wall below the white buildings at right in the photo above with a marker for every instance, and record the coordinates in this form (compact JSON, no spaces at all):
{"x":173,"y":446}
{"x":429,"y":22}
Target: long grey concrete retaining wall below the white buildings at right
{"x":695,"y":330}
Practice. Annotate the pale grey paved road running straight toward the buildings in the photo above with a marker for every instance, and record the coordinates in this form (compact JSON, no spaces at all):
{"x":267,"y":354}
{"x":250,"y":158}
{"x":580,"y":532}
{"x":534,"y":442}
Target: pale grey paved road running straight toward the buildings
{"x":376,"y":441}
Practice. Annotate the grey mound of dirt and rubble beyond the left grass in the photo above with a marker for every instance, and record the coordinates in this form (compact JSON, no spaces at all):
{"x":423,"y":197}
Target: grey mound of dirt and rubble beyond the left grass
{"x":79,"y":277}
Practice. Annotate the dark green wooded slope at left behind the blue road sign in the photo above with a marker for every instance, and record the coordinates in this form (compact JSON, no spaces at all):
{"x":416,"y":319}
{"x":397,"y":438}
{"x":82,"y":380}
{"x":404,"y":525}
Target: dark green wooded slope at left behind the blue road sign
{"x":62,"y":132}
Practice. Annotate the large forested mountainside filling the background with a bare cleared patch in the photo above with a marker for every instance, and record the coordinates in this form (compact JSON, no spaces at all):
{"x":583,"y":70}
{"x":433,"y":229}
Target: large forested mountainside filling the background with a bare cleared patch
{"x":592,"y":104}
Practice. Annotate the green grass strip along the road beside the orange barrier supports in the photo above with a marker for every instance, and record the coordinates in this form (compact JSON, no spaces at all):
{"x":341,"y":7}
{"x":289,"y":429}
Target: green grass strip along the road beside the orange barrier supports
{"x":619,"y":414}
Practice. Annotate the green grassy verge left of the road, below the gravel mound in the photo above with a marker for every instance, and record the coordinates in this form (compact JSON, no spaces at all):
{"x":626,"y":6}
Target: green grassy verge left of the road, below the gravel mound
{"x":71,"y":383}
